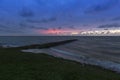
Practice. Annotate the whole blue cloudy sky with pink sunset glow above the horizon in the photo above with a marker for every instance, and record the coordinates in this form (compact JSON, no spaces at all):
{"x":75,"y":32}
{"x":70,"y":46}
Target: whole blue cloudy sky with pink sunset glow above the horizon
{"x":59,"y":17}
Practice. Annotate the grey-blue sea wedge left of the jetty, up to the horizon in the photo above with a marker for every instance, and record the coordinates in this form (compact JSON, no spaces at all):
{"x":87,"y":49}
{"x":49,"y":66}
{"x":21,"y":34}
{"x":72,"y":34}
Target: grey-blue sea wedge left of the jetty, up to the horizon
{"x":27,"y":40}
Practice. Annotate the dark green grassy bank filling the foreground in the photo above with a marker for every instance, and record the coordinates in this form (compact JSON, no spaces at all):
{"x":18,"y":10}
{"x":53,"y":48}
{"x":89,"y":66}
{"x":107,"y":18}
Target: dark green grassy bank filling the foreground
{"x":16,"y":65}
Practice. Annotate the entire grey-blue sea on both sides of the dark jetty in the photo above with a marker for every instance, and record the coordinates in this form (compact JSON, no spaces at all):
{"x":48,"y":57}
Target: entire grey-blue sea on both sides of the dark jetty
{"x":101,"y":51}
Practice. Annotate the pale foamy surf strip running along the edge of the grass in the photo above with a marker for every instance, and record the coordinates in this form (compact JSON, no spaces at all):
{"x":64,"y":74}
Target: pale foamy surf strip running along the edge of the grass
{"x":110,"y":65}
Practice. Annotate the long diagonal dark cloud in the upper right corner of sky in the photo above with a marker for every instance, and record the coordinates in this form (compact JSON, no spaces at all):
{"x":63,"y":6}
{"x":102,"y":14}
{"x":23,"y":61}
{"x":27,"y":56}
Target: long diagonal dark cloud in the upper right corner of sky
{"x":102,"y":7}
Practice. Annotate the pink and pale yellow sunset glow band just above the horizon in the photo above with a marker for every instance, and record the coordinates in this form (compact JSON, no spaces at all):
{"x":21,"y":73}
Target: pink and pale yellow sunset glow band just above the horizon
{"x":78,"y":32}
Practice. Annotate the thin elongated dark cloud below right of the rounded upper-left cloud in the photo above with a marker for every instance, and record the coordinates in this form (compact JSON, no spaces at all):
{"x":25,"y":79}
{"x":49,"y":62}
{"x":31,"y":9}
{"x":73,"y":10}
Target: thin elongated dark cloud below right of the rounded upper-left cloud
{"x":42,"y":20}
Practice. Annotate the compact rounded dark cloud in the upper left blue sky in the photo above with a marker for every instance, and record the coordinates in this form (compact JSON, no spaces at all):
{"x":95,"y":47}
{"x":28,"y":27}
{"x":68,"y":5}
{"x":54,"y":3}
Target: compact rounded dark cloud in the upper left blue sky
{"x":27,"y":12}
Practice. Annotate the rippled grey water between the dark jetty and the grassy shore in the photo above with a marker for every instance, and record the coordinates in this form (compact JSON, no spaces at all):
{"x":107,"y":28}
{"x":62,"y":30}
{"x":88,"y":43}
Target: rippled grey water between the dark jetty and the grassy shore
{"x":95,"y":52}
